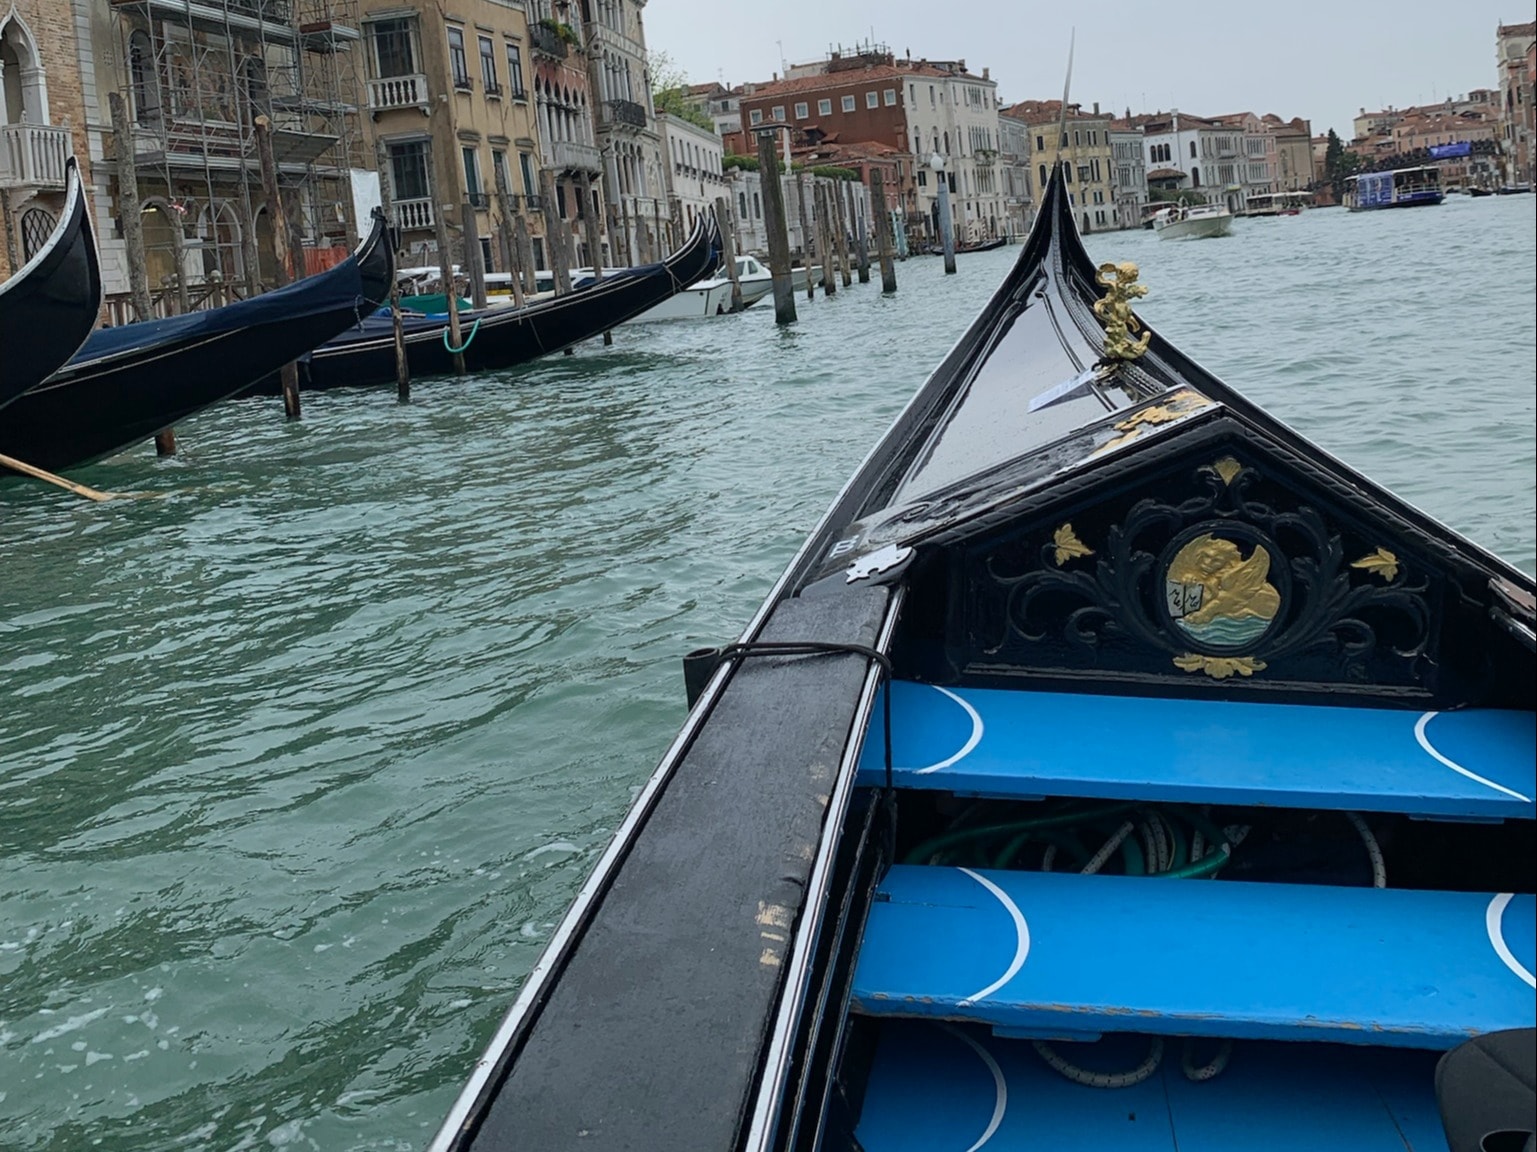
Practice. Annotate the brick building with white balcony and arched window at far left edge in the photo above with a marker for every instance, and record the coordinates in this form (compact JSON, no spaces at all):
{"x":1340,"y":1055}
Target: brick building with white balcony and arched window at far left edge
{"x":42,"y":122}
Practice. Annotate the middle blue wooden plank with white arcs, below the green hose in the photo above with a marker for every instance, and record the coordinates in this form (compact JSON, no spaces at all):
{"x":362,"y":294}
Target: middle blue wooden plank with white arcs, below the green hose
{"x":1049,"y":955}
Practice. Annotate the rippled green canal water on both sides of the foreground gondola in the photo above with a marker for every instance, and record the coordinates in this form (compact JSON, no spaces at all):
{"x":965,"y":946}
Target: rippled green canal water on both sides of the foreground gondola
{"x":305,"y":752}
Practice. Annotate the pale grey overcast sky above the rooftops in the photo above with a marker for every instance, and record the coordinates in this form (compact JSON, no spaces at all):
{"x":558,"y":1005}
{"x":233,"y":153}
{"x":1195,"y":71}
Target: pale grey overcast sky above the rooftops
{"x":1298,"y":58}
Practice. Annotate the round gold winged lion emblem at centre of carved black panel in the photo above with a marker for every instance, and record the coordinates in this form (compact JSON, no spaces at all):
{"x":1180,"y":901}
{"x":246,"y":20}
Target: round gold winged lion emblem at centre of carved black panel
{"x":1220,"y":597}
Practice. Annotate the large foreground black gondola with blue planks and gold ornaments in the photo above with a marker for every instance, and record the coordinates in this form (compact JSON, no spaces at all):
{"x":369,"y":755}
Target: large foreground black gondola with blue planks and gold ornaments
{"x":1107,"y":747}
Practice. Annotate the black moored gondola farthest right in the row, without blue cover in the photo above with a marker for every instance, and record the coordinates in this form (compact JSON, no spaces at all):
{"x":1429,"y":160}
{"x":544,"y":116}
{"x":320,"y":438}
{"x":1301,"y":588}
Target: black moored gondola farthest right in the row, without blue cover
{"x":505,"y":337}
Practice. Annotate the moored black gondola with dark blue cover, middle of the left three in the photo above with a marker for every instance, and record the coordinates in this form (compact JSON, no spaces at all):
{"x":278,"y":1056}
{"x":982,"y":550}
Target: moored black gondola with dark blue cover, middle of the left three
{"x":130,"y":383}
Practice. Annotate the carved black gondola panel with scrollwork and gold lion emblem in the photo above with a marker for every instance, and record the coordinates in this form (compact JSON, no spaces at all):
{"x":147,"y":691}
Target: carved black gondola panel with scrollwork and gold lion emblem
{"x":1212,"y":571}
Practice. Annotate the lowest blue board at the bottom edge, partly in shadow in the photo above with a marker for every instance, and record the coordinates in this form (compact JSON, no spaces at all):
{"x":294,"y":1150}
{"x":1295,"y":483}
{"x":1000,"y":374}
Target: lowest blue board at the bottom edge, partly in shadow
{"x":937,"y":1088}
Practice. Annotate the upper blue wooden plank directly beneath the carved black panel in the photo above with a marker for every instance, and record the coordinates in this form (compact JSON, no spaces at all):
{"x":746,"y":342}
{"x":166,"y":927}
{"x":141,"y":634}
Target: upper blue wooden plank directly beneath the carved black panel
{"x":1478,"y":764}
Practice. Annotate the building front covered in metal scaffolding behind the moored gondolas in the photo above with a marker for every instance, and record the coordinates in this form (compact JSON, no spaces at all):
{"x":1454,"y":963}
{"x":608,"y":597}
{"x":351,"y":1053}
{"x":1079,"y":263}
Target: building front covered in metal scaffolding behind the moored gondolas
{"x":198,"y":78}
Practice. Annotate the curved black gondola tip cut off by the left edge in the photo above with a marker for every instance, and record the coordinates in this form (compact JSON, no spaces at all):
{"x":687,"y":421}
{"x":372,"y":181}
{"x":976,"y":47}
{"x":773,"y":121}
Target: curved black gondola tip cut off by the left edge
{"x":50,"y":306}
